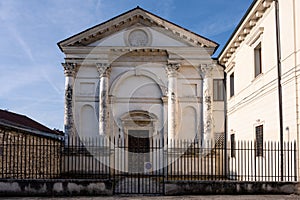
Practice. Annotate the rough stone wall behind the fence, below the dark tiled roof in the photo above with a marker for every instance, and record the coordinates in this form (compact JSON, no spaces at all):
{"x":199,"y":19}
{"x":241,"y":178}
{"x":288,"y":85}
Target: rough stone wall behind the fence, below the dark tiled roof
{"x":28,"y":156}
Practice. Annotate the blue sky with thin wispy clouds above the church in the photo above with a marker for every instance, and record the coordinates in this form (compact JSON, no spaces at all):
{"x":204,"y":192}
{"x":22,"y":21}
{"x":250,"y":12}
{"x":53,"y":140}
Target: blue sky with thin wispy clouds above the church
{"x":31,"y":75}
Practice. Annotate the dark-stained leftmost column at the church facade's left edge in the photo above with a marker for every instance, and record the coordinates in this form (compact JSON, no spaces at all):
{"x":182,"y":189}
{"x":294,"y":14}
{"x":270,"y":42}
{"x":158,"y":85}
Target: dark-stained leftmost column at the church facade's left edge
{"x":70,"y":71}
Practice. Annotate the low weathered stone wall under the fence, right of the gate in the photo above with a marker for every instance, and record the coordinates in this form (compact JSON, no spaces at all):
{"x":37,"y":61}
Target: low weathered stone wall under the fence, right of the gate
{"x":229,"y":187}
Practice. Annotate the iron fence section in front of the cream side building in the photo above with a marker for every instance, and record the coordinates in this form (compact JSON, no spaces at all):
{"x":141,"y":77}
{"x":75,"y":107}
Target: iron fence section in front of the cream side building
{"x":248,"y":163}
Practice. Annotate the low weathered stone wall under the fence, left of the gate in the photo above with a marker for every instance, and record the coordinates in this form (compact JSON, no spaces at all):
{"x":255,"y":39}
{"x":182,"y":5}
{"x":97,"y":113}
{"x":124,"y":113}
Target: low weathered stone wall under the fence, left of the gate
{"x":55,"y":188}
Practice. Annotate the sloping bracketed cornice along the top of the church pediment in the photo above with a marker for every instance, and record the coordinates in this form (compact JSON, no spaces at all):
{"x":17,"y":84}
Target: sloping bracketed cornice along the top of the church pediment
{"x":132,"y":18}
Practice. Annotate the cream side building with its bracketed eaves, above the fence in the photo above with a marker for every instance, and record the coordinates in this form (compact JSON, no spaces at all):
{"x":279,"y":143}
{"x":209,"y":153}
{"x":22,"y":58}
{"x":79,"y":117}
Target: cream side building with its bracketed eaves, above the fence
{"x":255,"y":99}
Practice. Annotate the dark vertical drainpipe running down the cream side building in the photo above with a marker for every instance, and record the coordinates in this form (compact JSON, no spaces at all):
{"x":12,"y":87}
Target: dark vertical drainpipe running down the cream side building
{"x":279,"y":84}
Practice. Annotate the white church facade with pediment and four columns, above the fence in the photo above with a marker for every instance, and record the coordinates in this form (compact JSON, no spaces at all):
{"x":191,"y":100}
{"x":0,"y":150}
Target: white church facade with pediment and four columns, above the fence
{"x":141,"y":76}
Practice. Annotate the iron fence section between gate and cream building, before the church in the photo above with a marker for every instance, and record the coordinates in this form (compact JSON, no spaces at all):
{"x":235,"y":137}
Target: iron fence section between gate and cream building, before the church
{"x":189,"y":160}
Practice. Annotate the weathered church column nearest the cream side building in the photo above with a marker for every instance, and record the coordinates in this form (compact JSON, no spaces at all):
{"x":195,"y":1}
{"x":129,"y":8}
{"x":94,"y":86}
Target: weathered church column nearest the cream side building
{"x":208,"y":132}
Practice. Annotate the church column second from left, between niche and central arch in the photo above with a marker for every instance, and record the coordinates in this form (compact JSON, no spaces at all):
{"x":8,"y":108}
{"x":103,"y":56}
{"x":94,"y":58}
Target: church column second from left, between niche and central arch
{"x":104,"y":70}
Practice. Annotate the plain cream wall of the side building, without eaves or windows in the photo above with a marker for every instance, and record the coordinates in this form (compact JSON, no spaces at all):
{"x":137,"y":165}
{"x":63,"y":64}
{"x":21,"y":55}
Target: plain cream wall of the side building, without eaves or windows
{"x":256,"y":99}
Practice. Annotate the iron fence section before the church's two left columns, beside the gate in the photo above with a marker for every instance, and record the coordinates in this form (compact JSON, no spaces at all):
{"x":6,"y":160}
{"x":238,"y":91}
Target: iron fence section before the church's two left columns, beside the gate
{"x":87,"y":158}
